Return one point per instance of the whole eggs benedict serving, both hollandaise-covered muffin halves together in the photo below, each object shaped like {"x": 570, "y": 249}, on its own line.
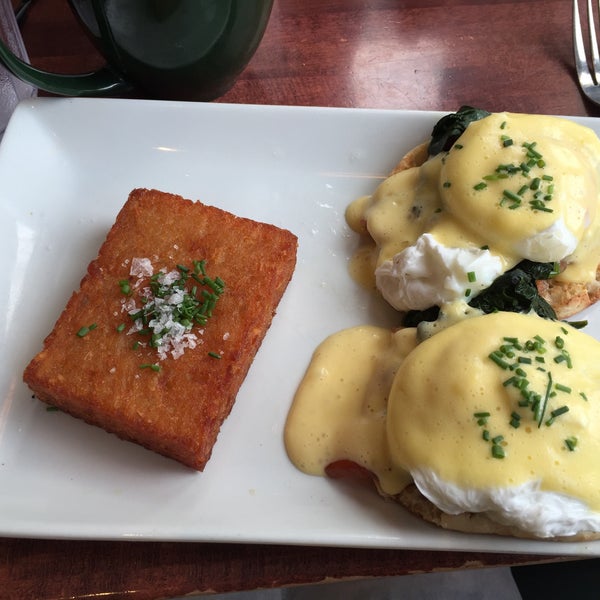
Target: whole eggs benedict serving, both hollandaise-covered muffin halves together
{"x": 481, "y": 414}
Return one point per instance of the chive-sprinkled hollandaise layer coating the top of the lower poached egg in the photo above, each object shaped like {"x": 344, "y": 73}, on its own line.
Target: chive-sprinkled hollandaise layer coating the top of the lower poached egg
{"x": 499, "y": 400}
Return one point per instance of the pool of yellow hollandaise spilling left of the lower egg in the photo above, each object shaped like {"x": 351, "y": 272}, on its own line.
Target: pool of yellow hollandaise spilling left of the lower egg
{"x": 339, "y": 411}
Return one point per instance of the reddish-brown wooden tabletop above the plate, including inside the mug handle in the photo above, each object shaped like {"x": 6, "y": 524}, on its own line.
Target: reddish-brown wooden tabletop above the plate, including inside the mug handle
{"x": 430, "y": 55}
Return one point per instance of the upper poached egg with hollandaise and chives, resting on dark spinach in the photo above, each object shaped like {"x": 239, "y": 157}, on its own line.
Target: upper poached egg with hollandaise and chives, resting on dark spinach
{"x": 512, "y": 187}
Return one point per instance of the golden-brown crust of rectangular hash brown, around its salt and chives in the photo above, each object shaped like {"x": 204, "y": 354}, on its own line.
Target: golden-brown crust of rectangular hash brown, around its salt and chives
{"x": 179, "y": 410}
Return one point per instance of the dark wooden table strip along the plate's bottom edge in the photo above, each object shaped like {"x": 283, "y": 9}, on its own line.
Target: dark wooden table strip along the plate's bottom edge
{"x": 148, "y": 570}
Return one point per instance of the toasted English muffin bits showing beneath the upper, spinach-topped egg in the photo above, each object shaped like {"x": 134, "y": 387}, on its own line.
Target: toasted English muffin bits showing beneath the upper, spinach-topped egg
{"x": 566, "y": 298}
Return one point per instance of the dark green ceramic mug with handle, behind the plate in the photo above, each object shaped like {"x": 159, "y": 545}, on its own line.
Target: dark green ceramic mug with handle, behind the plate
{"x": 168, "y": 49}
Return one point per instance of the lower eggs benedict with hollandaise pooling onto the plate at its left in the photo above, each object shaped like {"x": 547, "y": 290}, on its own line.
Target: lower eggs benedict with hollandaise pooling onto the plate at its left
{"x": 497, "y": 416}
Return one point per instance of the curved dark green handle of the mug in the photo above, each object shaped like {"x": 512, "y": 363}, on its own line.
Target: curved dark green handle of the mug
{"x": 102, "y": 82}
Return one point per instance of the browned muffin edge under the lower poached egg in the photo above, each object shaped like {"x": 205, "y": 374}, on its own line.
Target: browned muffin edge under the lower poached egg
{"x": 411, "y": 499}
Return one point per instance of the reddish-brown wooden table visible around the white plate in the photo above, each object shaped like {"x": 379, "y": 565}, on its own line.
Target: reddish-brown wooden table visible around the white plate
{"x": 405, "y": 54}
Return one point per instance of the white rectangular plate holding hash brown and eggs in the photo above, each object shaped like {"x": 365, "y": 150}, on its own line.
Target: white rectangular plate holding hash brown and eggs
{"x": 66, "y": 168}
